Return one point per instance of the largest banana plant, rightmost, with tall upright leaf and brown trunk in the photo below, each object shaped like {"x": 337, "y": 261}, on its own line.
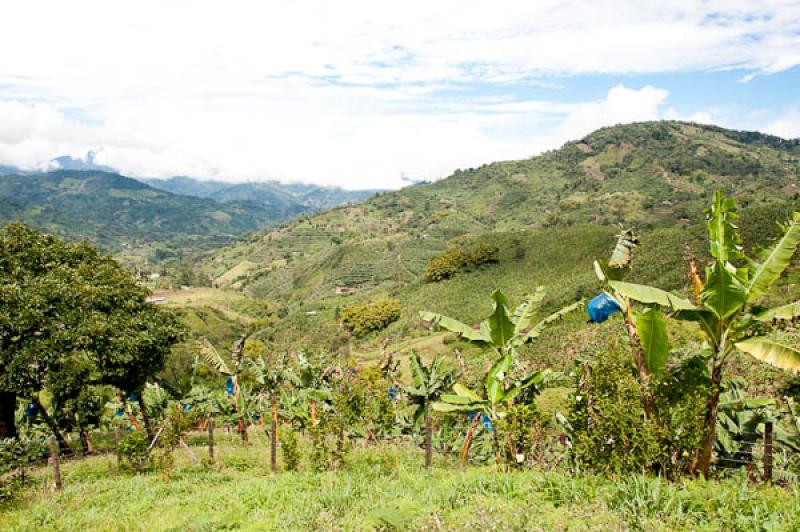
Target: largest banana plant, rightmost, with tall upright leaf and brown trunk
{"x": 727, "y": 310}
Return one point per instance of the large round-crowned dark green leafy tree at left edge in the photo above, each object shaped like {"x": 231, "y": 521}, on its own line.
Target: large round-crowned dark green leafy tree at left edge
{"x": 67, "y": 310}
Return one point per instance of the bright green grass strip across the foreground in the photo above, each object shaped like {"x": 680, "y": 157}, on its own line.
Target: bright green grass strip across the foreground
{"x": 374, "y": 492}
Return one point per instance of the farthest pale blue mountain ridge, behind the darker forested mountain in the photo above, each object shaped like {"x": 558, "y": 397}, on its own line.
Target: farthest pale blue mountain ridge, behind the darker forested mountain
{"x": 288, "y": 199}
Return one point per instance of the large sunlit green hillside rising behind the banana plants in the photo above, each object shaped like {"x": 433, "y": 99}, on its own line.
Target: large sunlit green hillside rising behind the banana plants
{"x": 549, "y": 215}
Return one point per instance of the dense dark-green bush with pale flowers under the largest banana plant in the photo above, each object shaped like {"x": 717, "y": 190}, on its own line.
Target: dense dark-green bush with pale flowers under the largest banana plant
{"x": 610, "y": 430}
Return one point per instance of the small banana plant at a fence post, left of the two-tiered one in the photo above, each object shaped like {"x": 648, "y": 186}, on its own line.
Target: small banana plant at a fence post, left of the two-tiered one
{"x": 427, "y": 385}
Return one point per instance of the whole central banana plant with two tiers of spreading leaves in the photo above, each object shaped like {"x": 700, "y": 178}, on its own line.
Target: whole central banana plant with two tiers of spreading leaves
{"x": 504, "y": 332}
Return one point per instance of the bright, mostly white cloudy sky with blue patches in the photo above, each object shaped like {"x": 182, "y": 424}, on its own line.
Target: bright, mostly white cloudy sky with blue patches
{"x": 372, "y": 94}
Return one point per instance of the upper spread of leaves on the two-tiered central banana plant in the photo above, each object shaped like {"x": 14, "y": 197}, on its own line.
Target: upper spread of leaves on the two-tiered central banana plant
{"x": 504, "y": 331}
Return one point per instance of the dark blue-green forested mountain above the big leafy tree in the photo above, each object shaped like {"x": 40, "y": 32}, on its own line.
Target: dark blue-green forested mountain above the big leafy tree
{"x": 125, "y": 216}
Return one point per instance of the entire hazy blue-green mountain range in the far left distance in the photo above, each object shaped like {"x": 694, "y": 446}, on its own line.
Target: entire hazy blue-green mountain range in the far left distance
{"x": 153, "y": 219}
